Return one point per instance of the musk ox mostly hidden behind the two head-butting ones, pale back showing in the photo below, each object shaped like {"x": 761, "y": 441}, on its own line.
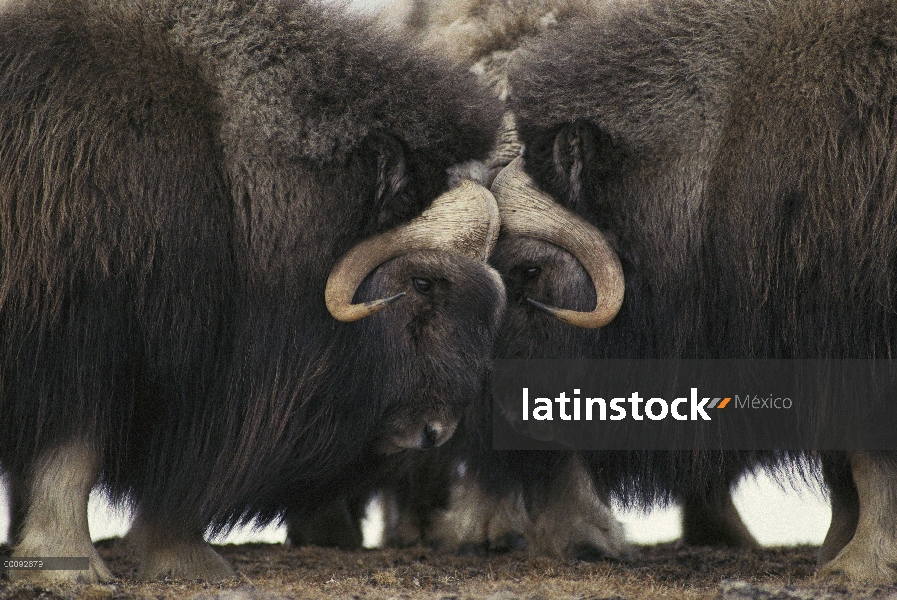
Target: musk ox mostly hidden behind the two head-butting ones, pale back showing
{"x": 417, "y": 490}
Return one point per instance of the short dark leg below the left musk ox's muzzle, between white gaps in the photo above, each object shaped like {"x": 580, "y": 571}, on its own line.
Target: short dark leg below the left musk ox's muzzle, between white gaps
{"x": 333, "y": 526}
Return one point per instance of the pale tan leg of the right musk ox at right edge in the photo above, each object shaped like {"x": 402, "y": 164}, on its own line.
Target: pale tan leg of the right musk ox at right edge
{"x": 871, "y": 555}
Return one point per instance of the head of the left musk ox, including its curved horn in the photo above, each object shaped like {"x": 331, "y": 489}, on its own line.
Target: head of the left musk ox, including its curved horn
{"x": 435, "y": 342}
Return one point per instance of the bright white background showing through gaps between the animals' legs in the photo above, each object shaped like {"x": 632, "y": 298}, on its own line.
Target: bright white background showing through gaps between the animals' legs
{"x": 775, "y": 516}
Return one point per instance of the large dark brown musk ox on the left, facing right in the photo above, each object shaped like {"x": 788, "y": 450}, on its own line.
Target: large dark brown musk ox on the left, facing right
{"x": 193, "y": 195}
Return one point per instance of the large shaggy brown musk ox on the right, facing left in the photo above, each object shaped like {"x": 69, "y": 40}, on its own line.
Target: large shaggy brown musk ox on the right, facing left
{"x": 740, "y": 160}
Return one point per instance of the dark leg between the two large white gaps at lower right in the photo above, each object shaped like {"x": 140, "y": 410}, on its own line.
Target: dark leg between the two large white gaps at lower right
{"x": 713, "y": 520}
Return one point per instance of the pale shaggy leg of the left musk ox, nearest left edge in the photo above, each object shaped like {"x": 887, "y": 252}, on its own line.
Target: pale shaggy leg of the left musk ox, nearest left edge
{"x": 55, "y": 521}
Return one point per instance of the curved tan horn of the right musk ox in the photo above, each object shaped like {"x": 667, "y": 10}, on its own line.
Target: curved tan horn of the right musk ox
{"x": 528, "y": 212}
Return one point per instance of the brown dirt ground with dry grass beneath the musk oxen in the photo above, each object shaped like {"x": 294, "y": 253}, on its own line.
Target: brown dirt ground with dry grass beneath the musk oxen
{"x": 272, "y": 572}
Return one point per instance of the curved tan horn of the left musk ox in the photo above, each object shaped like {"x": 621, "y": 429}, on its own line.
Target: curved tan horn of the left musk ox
{"x": 464, "y": 220}
